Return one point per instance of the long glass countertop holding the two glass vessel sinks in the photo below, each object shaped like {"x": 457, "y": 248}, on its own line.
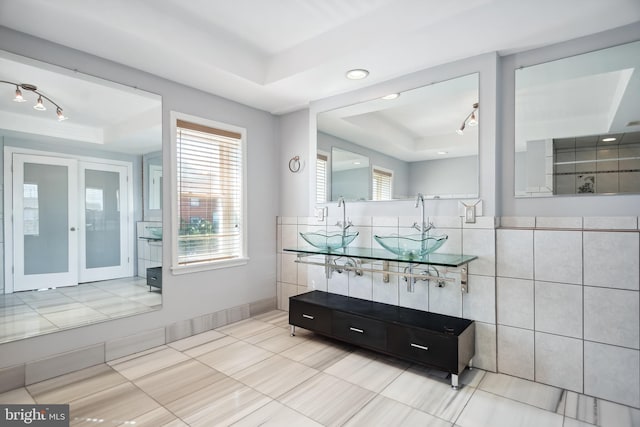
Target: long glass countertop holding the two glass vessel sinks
{"x": 448, "y": 260}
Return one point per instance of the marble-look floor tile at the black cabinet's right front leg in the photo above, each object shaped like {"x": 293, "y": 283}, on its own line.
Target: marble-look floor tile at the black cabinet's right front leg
{"x": 428, "y": 394}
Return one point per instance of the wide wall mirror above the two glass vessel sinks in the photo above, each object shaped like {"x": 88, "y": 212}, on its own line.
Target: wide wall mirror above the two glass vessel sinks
{"x": 423, "y": 140}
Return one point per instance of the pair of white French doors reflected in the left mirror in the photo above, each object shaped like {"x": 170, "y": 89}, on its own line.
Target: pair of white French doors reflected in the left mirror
{"x": 70, "y": 222}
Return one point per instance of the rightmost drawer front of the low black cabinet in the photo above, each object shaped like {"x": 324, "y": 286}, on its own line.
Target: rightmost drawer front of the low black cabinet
{"x": 423, "y": 346}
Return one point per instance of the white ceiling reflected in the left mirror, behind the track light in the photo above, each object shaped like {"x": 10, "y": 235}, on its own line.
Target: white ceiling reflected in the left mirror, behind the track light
{"x": 103, "y": 115}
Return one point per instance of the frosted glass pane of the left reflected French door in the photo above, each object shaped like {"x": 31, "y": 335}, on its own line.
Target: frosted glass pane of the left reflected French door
{"x": 45, "y": 219}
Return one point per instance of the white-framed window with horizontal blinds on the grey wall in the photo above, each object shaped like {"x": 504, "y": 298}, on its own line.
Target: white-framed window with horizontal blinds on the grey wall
{"x": 210, "y": 194}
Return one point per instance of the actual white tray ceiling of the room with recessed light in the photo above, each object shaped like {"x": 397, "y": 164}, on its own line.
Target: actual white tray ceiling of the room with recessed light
{"x": 280, "y": 55}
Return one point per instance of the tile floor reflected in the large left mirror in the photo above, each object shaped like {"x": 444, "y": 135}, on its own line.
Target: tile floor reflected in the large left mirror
{"x": 26, "y": 314}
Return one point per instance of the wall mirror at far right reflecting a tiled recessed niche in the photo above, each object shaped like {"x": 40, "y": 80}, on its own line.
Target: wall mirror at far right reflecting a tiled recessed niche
{"x": 577, "y": 124}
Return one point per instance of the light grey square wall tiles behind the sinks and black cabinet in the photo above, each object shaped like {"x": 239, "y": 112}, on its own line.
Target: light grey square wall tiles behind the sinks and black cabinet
{"x": 555, "y": 299}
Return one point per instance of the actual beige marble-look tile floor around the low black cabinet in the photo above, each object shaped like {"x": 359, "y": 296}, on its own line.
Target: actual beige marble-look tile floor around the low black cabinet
{"x": 253, "y": 373}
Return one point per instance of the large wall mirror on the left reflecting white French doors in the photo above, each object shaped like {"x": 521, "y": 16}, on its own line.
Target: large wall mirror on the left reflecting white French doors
{"x": 81, "y": 216}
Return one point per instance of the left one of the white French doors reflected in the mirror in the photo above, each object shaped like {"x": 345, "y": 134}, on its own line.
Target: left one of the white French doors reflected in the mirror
{"x": 45, "y": 222}
